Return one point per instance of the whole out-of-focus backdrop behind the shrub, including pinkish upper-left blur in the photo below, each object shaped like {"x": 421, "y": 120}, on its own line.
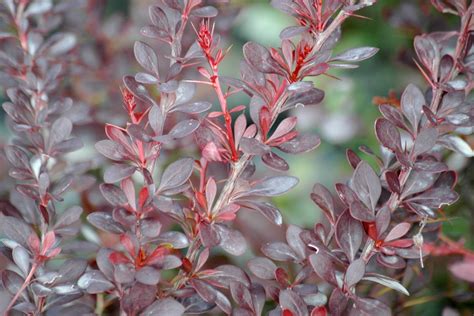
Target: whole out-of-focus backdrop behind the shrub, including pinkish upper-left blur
{"x": 344, "y": 120}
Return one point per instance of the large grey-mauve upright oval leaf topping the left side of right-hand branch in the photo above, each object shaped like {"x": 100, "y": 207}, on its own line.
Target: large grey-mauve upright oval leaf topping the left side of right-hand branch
{"x": 366, "y": 184}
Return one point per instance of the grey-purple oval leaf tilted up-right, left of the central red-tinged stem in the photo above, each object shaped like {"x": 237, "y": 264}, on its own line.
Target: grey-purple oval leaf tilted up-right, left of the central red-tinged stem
{"x": 176, "y": 174}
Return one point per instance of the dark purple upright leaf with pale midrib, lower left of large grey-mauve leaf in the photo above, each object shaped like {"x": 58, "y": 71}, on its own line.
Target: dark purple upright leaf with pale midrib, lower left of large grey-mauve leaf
{"x": 349, "y": 234}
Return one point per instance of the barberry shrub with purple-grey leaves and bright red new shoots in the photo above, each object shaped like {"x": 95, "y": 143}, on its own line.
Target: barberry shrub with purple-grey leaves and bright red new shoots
{"x": 169, "y": 215}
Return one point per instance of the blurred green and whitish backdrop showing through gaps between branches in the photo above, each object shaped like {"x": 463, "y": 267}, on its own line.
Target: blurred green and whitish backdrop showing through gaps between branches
{"x": 345, "y": 119}
